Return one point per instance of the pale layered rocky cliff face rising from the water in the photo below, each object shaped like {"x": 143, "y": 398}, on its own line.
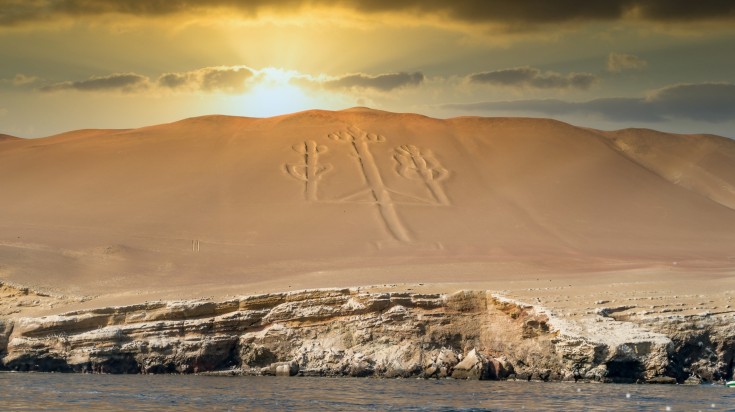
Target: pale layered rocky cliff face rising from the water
{"x": 353, "y": 332}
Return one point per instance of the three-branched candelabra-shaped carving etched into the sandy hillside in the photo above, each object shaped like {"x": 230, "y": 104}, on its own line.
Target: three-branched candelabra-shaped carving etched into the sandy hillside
{"x": 413, "y": 164}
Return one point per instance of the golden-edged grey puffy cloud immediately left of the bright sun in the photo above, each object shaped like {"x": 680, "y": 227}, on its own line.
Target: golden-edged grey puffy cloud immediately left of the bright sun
{"x": 229, "y": 79}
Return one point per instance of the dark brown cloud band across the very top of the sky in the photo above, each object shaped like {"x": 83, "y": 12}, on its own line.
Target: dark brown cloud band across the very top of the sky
{"x": 516, "y": 12}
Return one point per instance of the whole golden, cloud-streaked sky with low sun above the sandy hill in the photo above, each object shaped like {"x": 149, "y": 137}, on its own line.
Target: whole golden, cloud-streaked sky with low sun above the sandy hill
{"x": 73, "y": 64}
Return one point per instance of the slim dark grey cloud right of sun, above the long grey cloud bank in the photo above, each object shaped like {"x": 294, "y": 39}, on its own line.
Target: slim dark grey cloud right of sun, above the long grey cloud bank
{"x": 533, "y": 78}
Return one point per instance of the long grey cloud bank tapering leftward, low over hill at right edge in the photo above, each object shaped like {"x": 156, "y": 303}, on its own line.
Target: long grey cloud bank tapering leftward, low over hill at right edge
{"x": 705, "y": 102}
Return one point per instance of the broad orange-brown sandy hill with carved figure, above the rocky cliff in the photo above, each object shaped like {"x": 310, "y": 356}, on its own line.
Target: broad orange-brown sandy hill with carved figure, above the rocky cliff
{"x": 217, "y": 205}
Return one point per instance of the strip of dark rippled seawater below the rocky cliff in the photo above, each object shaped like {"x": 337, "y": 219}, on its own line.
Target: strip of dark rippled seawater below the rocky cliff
{"x": 37, "y": 391}
